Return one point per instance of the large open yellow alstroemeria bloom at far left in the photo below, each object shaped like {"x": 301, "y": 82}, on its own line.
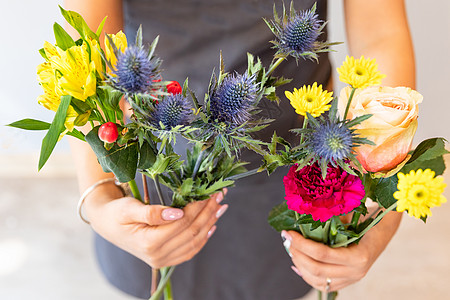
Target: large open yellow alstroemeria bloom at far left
{"x": 77, "y": 73}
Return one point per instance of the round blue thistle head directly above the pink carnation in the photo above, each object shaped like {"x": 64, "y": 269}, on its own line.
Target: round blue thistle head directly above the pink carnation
{"x": 332, "y": 142}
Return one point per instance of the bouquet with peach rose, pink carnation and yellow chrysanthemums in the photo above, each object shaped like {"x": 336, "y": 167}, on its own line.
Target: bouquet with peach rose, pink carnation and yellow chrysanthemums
{"x": 359, "y": 151}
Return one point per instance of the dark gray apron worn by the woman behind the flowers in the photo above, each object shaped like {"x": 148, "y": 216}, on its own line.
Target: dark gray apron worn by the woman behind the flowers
{"x": 245, "y": 258}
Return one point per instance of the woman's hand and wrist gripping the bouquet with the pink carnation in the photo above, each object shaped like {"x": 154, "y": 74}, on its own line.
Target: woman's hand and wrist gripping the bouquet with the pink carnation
{"x": 316, "y": 262}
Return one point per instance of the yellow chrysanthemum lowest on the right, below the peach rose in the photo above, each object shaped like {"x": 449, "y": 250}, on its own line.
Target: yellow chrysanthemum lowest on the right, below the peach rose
{"x": 418, "y": 192}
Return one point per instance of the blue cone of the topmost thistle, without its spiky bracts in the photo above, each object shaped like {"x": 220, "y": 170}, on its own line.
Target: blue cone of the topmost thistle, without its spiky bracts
{"x": 300, "y": 32}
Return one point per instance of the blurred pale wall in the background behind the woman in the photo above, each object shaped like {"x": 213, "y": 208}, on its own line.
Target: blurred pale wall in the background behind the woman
{"x": 27, "y": 24}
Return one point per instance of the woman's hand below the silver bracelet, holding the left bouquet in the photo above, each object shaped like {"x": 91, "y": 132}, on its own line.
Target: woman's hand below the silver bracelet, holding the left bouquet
{"x": 159, "y": 235}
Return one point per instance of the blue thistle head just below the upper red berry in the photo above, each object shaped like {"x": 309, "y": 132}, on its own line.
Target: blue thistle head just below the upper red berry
{"x": 172, "y": 111}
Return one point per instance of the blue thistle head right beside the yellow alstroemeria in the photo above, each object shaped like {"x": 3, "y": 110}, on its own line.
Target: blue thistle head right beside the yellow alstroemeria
{"x": 134, "y": 71}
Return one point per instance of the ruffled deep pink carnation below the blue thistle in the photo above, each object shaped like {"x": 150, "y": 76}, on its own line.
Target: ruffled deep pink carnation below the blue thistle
{"x": 308, "y": 193}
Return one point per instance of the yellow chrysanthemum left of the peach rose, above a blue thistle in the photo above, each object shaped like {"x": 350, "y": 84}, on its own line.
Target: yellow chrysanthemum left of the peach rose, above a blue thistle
{"x": 310, "y": 99}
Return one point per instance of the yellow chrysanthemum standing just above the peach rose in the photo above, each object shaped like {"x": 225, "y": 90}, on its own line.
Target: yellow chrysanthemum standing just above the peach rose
{"x": 360, "y": 73}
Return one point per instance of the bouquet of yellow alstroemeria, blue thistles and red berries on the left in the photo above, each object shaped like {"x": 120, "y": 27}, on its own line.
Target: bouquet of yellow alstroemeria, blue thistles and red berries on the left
{"x": 84, "y": 84}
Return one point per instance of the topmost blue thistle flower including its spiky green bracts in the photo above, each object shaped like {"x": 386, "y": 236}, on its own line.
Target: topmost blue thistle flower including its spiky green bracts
{"x": 297, "y": 33}
